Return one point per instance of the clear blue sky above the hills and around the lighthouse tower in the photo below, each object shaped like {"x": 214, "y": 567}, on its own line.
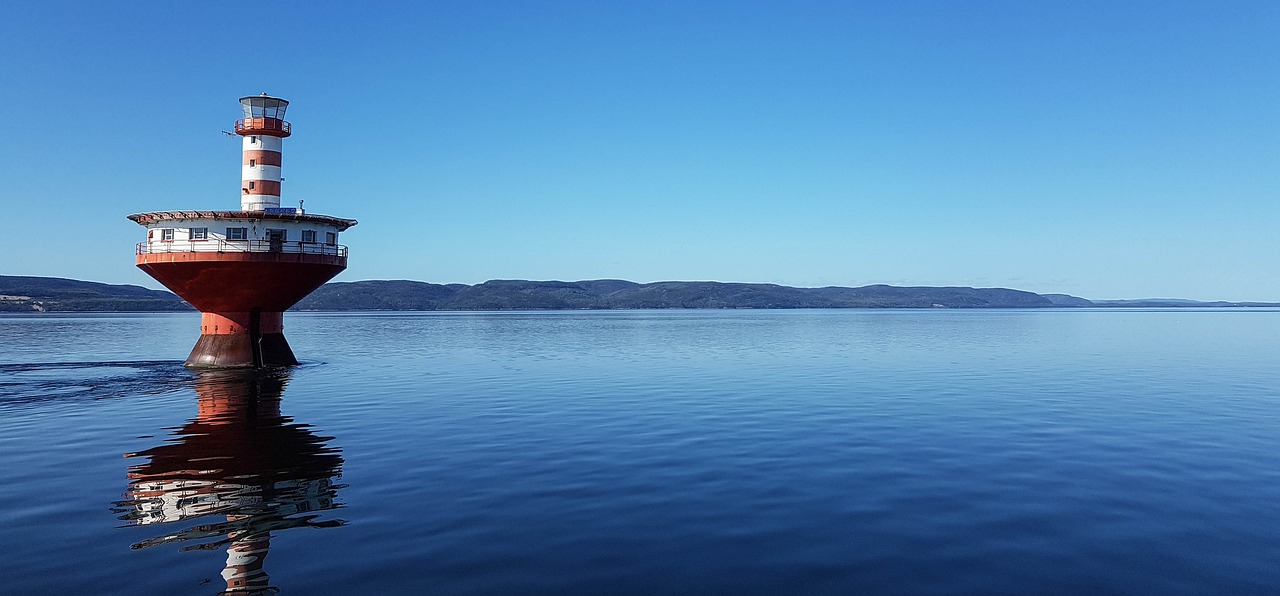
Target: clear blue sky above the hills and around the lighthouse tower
{"x": 1099, "y": 149}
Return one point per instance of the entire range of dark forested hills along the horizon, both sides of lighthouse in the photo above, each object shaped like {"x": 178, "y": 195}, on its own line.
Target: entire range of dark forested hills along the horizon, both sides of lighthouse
{"x": 33, "y": 294}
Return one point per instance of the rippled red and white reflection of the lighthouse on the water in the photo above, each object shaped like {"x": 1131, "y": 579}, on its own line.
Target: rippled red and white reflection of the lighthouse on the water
{"x": 241, "y": 471}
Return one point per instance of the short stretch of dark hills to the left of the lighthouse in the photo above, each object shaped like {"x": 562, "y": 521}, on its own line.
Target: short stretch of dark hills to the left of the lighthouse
{"x": 21, "y": 294}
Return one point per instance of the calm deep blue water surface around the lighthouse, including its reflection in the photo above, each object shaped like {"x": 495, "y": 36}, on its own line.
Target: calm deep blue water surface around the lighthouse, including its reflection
{"x": 693, "y": 452}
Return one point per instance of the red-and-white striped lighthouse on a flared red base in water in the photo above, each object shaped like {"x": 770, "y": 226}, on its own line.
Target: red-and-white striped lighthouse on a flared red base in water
{"x": 244, "y": 268}
